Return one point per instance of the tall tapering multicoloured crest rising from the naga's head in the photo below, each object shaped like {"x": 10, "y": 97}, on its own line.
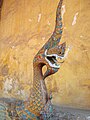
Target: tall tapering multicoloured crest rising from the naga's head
{"x": 57, "y": 34}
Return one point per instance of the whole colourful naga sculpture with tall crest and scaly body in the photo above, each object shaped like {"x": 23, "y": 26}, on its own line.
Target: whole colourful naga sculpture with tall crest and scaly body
{"x": 12, "y": 109}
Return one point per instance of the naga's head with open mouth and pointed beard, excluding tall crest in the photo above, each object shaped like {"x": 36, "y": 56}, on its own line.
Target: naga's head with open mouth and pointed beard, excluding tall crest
{"x": 49, "y": 57}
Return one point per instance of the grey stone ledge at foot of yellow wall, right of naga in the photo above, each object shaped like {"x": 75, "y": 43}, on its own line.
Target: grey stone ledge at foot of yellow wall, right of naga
{"x": 60, "y": 113}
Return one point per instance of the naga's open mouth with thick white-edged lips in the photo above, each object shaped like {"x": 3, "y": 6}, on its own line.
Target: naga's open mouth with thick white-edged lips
{"x": 53, "y": 60}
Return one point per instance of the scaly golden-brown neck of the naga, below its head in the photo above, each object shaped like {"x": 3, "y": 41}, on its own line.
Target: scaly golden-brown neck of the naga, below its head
{"x": 39, "y": 92}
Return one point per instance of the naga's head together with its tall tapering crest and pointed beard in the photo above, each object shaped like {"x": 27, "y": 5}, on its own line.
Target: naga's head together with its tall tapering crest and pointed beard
{"x": 52, "y": 50}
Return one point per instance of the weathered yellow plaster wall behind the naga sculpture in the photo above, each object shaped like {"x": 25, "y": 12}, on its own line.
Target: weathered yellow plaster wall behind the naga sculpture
{"x": 25, "y": 26}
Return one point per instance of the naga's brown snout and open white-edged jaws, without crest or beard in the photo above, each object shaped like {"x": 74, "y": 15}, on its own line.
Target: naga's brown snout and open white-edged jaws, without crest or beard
{"x": 52, "y": 55}
